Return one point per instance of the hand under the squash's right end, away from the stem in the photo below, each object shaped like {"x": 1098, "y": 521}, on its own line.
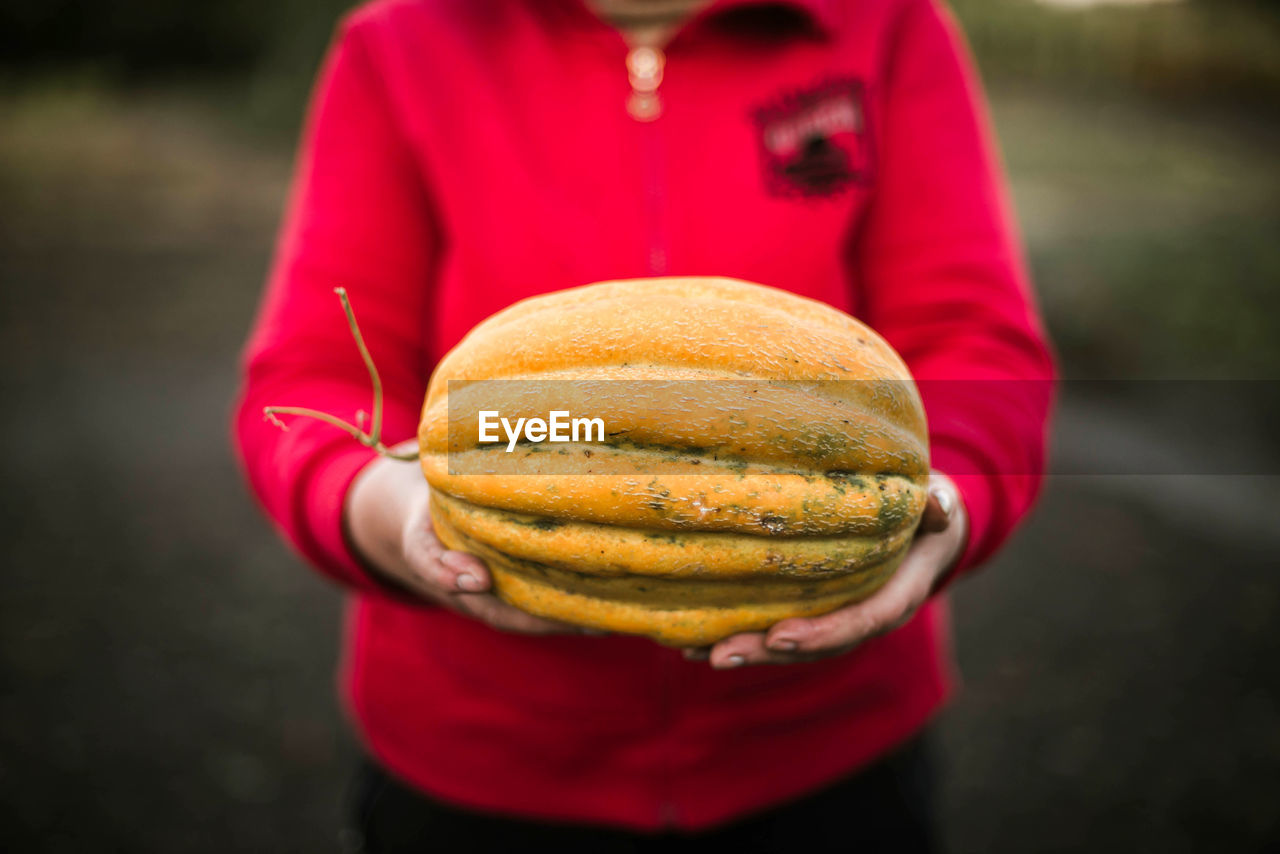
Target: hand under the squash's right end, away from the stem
{"x": 939, "y": 544}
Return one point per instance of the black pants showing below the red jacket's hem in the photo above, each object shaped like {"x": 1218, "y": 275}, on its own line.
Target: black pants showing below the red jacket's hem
{"x": 889, "y": 807}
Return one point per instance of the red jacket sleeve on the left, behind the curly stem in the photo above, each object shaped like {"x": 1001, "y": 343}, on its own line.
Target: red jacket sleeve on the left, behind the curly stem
{"x": 359, "y": 217}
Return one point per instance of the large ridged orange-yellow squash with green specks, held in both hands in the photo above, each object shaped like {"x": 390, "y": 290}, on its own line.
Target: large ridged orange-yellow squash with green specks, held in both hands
{"x": 766, "y": 458}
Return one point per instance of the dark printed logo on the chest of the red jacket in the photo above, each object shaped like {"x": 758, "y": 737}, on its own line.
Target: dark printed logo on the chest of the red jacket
{"x": 815, "y": 141}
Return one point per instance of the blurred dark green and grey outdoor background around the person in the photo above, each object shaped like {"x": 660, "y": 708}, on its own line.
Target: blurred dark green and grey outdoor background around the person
{"x": 166, "y": 665}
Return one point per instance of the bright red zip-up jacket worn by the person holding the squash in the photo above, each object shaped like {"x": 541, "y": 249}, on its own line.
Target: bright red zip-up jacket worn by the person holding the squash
{"x": 460, "y": 157}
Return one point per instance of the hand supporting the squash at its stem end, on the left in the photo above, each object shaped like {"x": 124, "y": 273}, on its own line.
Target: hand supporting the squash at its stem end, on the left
{"x": 388, "y": 523}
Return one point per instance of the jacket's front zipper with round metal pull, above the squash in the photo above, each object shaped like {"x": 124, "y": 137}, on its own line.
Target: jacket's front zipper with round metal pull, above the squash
{"x": 646, "y": 68}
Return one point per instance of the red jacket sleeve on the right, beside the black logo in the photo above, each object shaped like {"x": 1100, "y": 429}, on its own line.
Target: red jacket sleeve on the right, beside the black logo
{"x": 947, "y": 285}
